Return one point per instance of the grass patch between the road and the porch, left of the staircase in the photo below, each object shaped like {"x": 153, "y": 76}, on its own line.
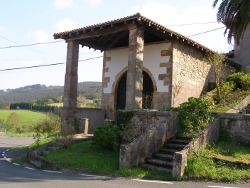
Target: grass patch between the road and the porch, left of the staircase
{"x": 85, "y": 156}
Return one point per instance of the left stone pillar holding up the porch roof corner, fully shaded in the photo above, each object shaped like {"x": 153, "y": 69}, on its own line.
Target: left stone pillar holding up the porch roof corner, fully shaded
{"x": 70, "y": 87}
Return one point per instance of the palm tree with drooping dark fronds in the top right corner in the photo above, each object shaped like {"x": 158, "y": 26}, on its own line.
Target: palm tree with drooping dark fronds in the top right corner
{"x": 235, "y": 14}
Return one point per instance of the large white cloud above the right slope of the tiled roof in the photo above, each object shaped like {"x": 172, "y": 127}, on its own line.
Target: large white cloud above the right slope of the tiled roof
{"x": 168, "y": 16}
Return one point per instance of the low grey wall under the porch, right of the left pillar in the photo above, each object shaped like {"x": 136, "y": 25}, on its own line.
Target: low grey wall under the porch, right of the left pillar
{"x": 95, "y": 115}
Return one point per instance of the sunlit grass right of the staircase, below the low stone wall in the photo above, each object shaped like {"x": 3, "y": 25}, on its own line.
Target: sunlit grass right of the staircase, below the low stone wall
{"x": 224, "y": 161}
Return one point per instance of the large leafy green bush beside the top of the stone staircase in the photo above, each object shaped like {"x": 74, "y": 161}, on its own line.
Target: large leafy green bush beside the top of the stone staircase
{"x": 194, "y": 115}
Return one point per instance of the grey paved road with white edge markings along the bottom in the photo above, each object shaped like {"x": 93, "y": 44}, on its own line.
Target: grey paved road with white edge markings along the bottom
{"x": 13, "y": 176}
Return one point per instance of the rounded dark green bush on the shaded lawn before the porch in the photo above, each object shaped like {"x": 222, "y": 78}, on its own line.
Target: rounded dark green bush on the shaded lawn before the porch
{"x": 107, "y": 136}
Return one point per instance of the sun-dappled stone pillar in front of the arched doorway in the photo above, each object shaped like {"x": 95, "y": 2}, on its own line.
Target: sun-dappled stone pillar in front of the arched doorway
{"x": 134, "y": 74}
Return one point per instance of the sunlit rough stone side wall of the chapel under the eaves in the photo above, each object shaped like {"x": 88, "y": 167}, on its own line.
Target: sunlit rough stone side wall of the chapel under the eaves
{"x": 190, "y": 73}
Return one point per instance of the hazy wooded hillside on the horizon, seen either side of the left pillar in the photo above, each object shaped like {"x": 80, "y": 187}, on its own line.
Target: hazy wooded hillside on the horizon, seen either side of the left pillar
{"x": 90, "y": 90}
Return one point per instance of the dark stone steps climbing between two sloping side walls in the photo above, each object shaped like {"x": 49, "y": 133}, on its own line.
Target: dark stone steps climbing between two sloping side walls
{"x": 163, "y": 159}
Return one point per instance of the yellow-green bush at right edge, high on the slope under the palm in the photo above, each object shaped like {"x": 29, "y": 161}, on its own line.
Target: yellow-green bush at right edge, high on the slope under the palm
{"x": 241, "y": 80}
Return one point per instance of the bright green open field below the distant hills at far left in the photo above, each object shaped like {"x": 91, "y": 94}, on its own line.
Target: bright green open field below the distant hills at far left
{"x": 27, "y": 117}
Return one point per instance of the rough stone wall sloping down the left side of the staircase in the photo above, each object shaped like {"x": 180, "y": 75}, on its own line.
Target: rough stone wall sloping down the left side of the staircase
{"x": 162, "y": 126}
